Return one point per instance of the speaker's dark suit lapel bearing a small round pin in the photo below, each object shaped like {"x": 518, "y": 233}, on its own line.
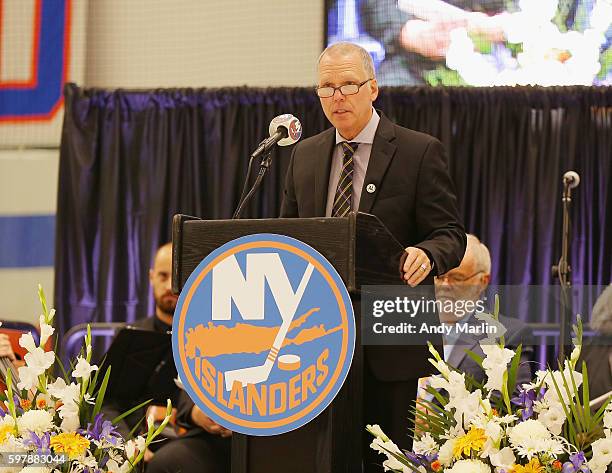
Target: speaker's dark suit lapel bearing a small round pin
{"x": 382, "y": 153}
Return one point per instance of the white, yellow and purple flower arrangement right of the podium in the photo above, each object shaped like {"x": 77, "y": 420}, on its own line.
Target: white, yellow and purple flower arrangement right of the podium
{"x": 472, "y": 427}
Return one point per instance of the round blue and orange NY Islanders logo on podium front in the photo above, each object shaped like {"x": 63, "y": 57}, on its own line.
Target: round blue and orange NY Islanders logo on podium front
{"x": 263, "y": 334}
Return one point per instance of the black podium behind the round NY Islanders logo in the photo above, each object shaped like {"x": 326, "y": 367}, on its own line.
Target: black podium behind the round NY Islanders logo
{"x": 364, "y": 253}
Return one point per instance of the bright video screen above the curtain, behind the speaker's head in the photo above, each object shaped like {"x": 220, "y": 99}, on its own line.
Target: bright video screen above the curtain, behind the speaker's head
{"x": 479, "y": 42}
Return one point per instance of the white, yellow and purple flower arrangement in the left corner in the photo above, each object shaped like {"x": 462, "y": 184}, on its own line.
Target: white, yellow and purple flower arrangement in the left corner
{"x": 56, "y": 424}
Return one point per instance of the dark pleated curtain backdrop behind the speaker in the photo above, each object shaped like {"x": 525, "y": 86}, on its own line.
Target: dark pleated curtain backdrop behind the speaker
{"x": 130, "y": 160}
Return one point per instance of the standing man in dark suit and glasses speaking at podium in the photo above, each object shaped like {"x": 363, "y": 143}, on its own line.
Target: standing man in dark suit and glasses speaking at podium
{"x": 368, "y": 163}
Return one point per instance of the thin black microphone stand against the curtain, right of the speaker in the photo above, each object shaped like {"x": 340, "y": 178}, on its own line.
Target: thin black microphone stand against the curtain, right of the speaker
{"x": 562, "y": 271}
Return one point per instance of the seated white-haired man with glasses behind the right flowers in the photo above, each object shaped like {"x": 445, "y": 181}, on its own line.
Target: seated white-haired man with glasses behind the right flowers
{"x": 464, "y": 286}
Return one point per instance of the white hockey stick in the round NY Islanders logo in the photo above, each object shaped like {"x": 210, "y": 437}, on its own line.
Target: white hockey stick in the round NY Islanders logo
{"x": 261, "y": 373}
